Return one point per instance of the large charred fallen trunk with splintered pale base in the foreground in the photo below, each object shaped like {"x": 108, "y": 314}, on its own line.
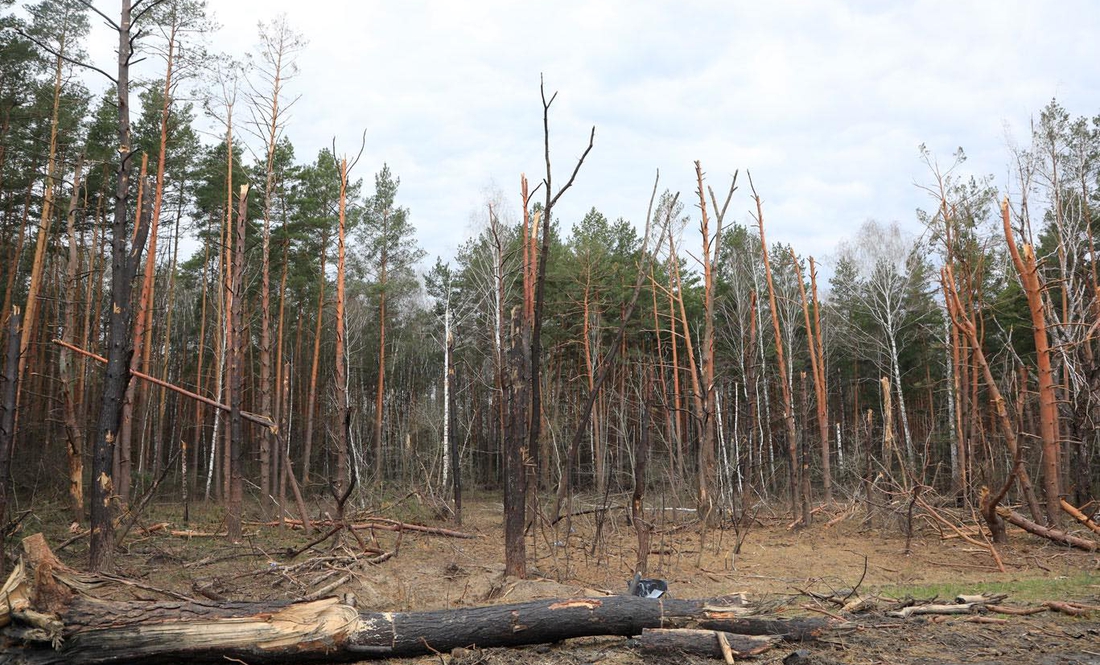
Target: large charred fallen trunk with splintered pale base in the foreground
{"x": 49, "y": 617}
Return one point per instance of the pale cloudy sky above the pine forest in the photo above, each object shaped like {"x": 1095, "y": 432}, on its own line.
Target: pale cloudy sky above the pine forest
{"x": 824, "y": 103}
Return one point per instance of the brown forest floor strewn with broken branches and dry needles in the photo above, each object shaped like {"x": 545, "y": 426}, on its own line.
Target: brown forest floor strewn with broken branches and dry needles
{"x": 779, "y": 568}
